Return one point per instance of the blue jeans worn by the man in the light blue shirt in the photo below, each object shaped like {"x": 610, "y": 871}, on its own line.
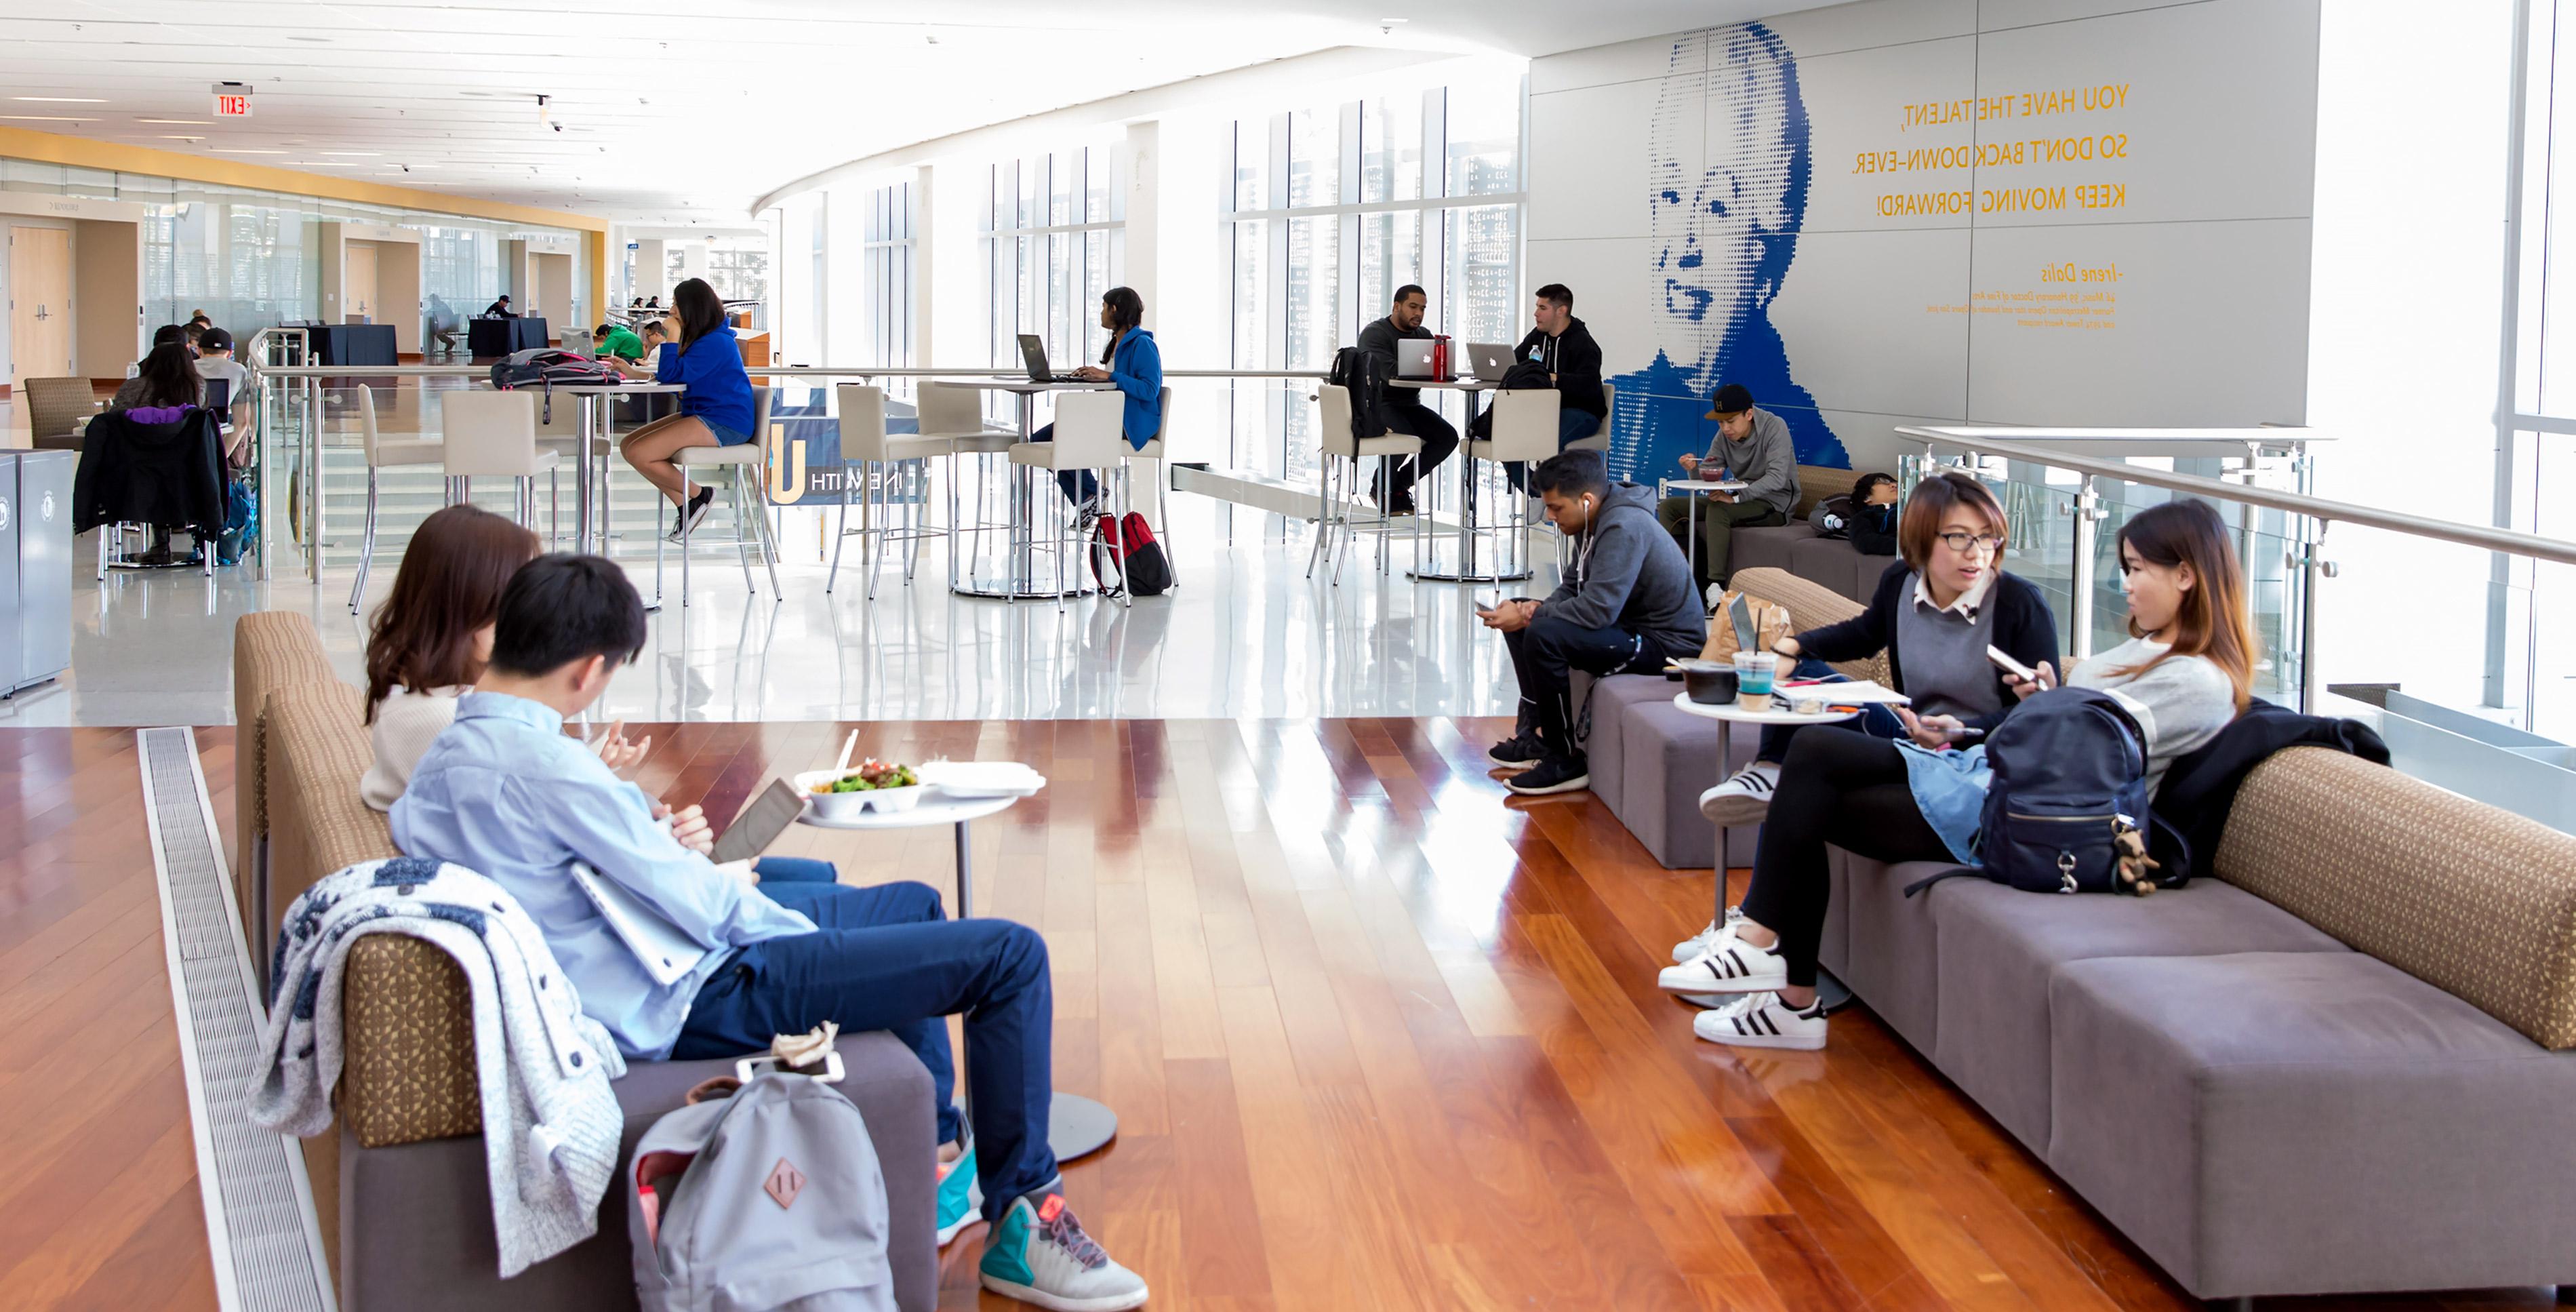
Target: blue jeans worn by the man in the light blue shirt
{"x": 887, "y": 958}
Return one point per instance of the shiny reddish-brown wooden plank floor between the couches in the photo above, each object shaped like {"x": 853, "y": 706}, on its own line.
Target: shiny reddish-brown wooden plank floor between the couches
{"x": 1379, "y": 1040}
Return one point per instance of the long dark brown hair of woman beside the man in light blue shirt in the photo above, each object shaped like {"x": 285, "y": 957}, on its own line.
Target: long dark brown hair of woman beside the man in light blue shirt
{"x": 450, "y": 586}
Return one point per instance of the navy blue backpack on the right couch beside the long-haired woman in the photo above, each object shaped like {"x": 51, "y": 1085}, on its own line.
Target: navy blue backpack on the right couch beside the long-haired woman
{"x": 2067, "y": 795}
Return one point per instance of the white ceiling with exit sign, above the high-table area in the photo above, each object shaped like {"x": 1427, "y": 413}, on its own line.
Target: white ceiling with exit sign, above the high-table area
{"x": 674, "y": 117}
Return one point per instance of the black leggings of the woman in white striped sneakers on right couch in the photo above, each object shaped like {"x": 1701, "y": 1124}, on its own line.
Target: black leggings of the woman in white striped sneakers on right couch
{"x": 1835, "y": 787}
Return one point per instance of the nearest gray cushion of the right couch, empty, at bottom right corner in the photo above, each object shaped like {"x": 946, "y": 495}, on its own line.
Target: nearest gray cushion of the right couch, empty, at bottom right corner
{"x": 2309, "y": 1123}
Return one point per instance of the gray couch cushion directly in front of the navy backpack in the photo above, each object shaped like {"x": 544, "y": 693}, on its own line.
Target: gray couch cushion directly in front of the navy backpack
{"x": 2000, "y": 947}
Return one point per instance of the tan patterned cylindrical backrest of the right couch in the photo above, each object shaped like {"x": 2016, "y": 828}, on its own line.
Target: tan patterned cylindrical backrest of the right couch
{"x": 2469, "y": 898}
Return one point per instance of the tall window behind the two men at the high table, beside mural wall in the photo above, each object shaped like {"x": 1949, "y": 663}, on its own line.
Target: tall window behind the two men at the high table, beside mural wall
{"x": 1336, "y": 207}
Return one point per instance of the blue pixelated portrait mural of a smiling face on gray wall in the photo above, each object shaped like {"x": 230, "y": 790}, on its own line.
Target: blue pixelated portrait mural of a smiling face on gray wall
{"x": 1725, "y": 231}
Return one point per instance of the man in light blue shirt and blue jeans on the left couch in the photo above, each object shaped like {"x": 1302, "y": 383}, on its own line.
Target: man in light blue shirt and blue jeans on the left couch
{"x": 506, "y": 793}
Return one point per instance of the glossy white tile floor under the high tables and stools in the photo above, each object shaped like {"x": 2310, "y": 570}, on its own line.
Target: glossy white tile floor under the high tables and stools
{"x": 1245, "y": 635}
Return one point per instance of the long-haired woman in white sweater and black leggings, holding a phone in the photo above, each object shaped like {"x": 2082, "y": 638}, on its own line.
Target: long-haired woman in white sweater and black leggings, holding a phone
{"x": 2186, "y": 674}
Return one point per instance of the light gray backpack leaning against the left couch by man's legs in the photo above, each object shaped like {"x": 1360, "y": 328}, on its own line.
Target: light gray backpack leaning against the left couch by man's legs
{"x": 769, "y": 1197}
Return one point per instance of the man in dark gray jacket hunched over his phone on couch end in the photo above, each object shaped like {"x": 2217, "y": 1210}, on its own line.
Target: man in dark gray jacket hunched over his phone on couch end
{"x": 1624, "y": 607}
